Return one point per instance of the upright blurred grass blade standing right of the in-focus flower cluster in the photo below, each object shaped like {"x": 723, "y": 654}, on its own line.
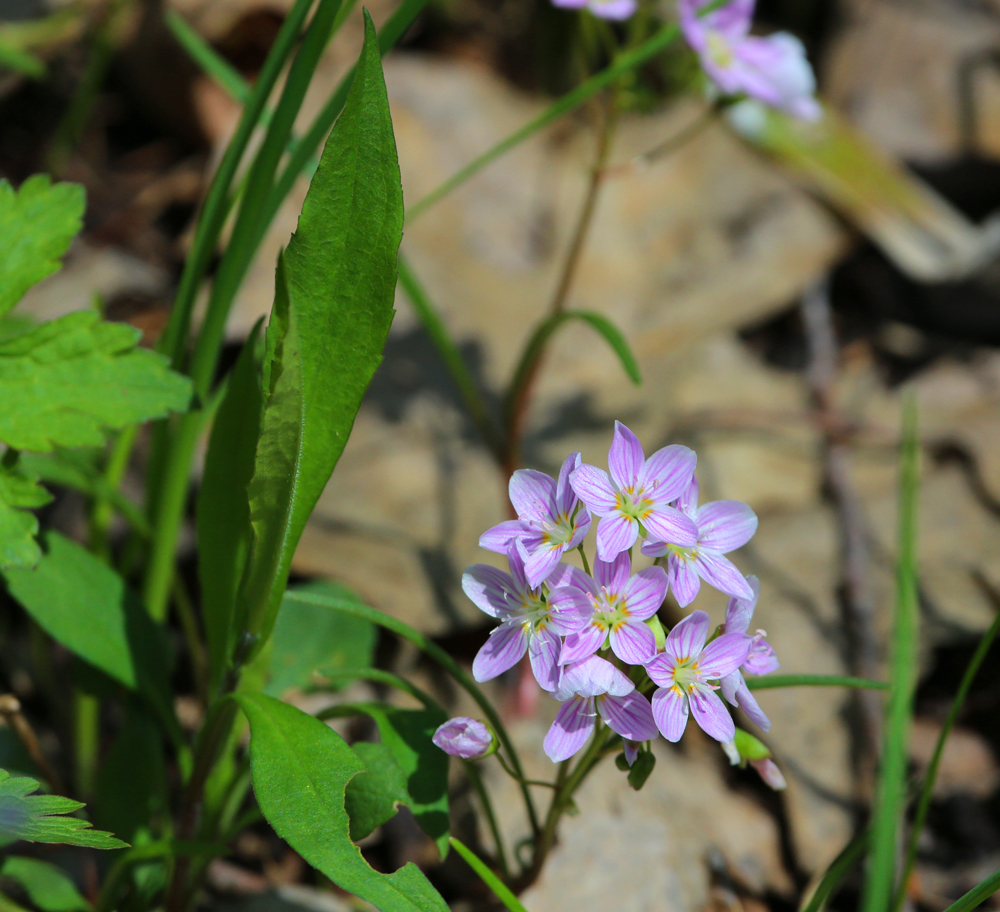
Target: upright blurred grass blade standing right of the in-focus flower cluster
{"x": 890, "y": 792}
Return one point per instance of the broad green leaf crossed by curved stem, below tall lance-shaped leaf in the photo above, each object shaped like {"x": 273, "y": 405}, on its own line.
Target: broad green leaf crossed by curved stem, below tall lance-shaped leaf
{"x": 312, "y": 638}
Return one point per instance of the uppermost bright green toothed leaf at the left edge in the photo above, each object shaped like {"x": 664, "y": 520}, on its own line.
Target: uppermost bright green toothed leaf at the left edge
{"x": 37, "y": 224}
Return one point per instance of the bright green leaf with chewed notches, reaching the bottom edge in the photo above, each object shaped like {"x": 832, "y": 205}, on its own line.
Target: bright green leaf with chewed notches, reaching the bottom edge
{"x": 300, "y": 769}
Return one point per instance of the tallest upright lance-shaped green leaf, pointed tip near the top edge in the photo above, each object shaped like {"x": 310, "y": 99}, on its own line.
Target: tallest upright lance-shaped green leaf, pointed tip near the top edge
{"x": 332, "y": 311}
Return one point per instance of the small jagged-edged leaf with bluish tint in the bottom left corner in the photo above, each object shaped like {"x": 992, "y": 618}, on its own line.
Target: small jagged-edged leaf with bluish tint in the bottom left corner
{"x": 35, "y": 818}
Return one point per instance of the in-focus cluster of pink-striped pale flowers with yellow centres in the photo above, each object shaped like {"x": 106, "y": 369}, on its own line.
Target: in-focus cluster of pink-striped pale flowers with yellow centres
{"x": 593, "y": 639}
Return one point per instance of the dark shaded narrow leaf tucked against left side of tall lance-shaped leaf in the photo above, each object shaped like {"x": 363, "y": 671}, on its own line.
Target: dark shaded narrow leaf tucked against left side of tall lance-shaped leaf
{"x": 223, "y": 509}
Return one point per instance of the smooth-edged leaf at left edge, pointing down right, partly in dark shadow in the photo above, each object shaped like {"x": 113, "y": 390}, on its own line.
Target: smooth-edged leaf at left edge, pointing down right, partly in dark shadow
{"x": 83, "y": 604}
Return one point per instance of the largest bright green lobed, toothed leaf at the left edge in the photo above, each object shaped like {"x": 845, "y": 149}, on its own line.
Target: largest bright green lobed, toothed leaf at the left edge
{"x": 65, "y": 382}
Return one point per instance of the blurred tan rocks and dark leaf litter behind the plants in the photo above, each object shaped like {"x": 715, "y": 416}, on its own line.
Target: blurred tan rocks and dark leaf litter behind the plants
{"x": 780, "y": 300}
